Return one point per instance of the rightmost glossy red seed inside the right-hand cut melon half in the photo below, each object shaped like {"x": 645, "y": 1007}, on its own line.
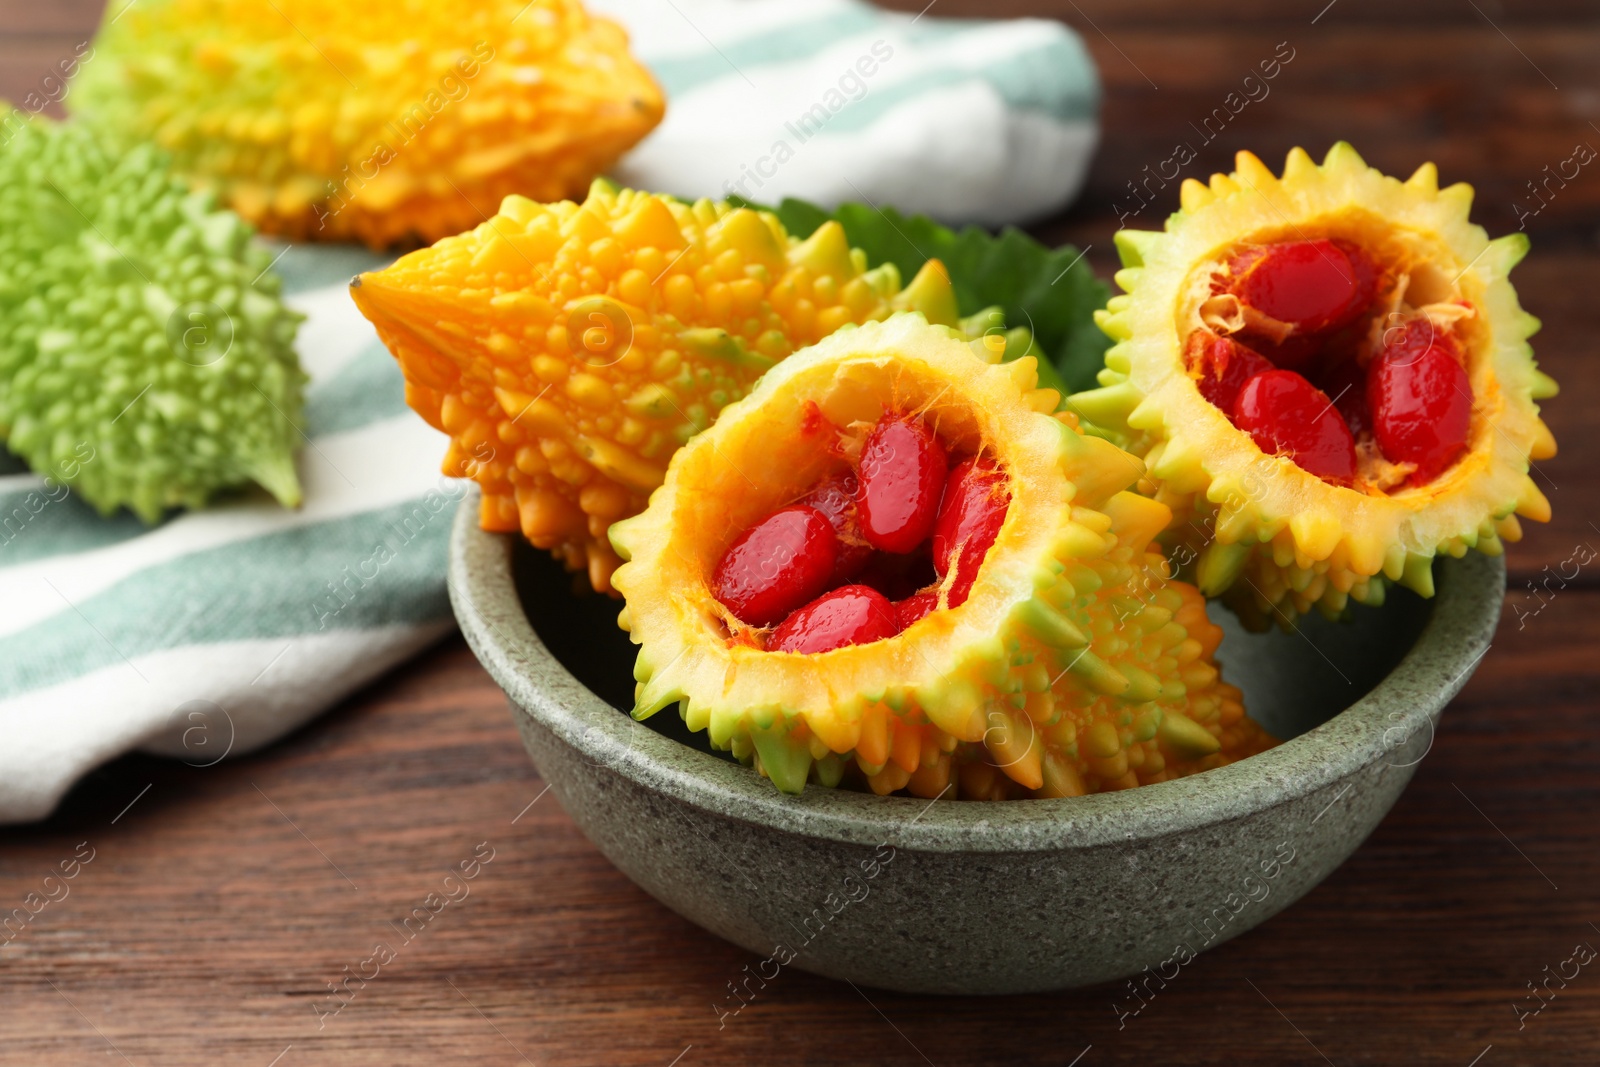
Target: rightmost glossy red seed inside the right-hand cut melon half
{"x": 1422, "y": 402}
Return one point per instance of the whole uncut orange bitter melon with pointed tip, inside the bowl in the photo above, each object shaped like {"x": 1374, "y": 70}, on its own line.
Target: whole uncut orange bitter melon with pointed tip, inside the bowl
{"x": 570, "y": 350}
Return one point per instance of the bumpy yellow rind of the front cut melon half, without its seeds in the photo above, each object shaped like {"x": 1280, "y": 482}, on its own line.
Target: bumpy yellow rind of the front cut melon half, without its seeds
{"x": 1074, "y": 666}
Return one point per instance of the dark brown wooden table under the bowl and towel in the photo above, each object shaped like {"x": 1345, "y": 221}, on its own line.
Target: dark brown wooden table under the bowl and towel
{"x": 222, "y": 903}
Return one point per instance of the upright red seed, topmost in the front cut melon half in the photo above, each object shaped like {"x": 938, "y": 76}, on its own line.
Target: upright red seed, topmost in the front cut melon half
{"x": 902, "y": 479}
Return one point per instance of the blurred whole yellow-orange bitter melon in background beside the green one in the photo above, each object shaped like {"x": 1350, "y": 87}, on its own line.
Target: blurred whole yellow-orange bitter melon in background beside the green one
{"x": 383, "y": 122}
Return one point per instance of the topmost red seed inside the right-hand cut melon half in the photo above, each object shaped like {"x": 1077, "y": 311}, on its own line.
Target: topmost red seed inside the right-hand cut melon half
{"x": 1313, "y": 286}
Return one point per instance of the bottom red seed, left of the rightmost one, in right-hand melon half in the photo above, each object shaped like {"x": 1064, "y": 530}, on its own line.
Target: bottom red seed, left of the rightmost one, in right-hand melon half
{"x": 1287, "y": 415}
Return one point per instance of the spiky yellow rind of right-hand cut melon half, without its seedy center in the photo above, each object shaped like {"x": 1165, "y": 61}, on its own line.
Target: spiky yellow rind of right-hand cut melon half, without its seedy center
{"x": 1268, "y": 537}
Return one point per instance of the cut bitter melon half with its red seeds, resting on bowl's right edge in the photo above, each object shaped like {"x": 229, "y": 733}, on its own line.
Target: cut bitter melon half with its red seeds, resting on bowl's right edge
{"x": 1329, "y": 375}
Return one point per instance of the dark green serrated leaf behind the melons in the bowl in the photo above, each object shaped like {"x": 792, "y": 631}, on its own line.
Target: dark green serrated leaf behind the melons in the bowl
{"x": 1050, "y": 292}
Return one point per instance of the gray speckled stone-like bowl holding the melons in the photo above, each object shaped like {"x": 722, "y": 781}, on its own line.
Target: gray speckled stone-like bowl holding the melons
{"x": 977, "y": 898}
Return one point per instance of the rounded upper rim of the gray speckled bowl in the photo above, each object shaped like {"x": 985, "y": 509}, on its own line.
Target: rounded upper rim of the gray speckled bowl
{"x": 1409, "y": 700}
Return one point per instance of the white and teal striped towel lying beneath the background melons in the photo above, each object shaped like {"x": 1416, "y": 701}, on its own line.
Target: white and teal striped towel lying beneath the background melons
{"x": 222, "y": 631}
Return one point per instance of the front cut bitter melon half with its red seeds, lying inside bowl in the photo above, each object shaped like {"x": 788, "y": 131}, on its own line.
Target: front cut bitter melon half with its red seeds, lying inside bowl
{"x": 985, "y": 607}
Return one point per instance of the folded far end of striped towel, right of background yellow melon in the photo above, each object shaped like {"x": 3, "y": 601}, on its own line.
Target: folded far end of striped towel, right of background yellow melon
{"x": 967, "y": 121}
